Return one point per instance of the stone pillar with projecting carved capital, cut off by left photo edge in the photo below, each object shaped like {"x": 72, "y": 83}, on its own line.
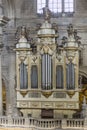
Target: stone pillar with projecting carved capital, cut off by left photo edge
{"x": 3, "y": 21}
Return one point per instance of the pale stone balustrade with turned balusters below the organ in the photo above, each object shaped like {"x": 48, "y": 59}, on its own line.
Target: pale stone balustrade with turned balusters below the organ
{"x": 41, "y": 123}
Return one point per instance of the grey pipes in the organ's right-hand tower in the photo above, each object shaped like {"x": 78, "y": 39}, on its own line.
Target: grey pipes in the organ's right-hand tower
{"x": 70, "y": 76}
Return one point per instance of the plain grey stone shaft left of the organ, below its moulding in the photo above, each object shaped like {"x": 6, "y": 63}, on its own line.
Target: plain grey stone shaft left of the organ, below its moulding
{"x": 12, "y": 93}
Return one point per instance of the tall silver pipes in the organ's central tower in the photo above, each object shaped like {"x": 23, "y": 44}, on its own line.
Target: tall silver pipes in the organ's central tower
{"x": 46, "y": 72}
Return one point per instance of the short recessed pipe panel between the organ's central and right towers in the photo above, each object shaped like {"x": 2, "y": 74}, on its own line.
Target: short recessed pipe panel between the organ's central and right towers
{"x": 59, "y": 77}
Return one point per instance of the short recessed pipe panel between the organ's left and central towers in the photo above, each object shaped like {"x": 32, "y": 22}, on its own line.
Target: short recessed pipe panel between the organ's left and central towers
{"x": 34, "y": 77}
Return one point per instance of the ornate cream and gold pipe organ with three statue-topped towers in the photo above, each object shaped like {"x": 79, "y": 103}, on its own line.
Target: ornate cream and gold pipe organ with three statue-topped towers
{"x": 47, "y": 80}
